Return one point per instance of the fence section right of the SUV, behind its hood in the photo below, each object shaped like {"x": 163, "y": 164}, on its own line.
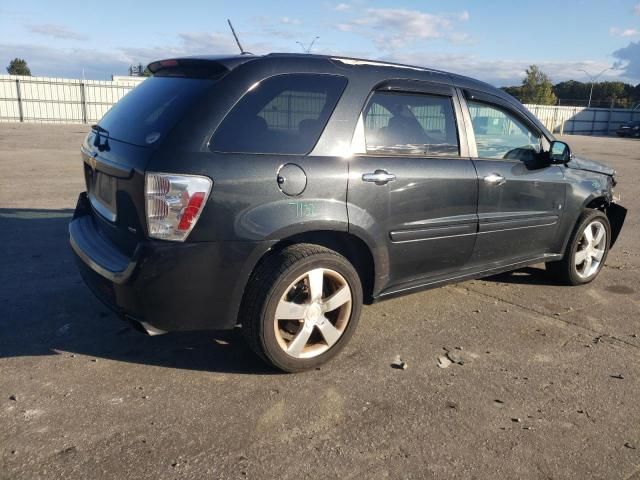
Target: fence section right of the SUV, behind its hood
{"x": 583, "y": 120}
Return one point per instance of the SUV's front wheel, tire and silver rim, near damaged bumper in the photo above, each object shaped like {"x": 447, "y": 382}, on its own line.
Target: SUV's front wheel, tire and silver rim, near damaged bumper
{"x": 571, "y": 270}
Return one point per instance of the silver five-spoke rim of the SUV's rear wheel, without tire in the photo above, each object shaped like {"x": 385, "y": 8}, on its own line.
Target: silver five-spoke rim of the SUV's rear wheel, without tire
{"x": 313, "y": 313}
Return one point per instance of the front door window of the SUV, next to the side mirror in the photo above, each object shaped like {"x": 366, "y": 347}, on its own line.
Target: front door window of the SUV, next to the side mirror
{"x": 501, "y": 135}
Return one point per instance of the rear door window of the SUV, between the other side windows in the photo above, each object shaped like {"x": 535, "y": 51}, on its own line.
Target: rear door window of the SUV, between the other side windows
{"x": 410, "y": 124}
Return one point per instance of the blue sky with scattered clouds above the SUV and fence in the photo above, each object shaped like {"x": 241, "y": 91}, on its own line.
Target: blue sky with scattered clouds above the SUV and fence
{"x": 491, "y": 40}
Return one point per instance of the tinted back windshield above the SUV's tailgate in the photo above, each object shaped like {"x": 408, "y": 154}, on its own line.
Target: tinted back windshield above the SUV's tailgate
{"x": 150, "y": 110}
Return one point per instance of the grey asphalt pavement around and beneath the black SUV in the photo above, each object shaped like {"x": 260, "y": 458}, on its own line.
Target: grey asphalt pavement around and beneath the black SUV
{"x": 542, "y": 381}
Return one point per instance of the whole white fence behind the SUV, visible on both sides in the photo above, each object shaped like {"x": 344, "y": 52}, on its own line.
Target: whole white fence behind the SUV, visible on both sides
{"x": 64, "y": 100}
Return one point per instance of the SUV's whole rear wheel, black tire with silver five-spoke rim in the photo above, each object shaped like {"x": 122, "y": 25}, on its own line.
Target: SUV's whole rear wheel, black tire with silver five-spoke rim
{"x": 301, "y": 283}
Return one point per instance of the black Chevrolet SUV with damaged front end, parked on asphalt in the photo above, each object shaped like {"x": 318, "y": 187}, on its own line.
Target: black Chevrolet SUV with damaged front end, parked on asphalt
{"x": 280, "y": 192}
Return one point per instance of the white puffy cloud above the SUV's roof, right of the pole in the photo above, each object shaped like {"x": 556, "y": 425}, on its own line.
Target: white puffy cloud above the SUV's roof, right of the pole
{"x": 394, "y": 28}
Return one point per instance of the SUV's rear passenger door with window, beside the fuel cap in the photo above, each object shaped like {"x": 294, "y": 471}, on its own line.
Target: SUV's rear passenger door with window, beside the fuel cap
{"x": 411, "y": 184}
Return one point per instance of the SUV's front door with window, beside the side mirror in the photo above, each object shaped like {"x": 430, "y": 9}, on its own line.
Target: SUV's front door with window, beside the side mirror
{"x": 520, "y": 197}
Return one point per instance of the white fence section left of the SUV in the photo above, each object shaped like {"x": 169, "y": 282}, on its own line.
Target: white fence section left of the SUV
{"x": 59, "y": 100}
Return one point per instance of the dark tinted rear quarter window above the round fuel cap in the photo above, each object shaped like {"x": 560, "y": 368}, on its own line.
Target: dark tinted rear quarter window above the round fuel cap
{"x": 282, "y": 114}
